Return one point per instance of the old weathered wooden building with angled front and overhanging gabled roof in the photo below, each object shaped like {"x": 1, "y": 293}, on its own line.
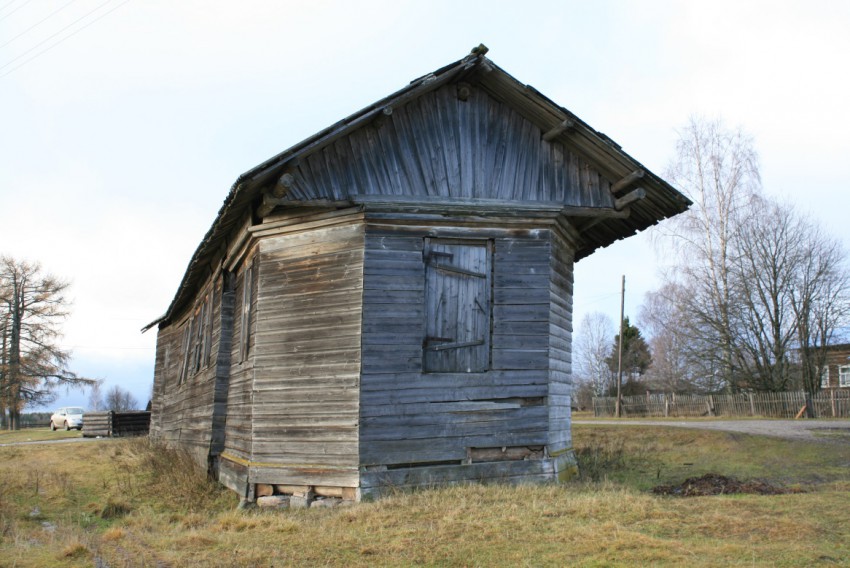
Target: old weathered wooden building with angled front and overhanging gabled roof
{"x": 388, "y": 303}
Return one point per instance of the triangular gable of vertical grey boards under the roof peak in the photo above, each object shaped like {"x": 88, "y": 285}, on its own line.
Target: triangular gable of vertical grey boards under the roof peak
{"x": 441, "y": 146}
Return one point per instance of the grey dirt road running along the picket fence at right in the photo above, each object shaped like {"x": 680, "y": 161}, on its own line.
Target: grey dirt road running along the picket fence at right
{"x": 829, "y": 431}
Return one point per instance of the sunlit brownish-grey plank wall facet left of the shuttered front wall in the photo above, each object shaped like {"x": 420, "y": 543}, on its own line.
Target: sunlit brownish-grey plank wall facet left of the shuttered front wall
{"x": 307, "y": 358}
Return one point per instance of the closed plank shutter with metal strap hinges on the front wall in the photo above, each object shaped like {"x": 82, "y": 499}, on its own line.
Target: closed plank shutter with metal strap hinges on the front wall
{"x": 457, "y": 306}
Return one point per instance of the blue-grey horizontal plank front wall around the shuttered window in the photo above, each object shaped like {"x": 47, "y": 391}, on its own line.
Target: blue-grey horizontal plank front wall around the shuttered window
{"x": 411, "y": 419}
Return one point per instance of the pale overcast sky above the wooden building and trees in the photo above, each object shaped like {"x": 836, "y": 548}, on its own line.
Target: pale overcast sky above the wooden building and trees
{"x": 124, "y": 123}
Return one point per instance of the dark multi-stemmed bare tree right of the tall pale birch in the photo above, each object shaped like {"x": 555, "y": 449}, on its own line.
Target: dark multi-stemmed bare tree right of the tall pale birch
{"x": 795, "y": 293}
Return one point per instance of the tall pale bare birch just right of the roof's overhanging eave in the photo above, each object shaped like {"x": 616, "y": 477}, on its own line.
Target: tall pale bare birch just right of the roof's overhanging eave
{"x": 717, "y": 169}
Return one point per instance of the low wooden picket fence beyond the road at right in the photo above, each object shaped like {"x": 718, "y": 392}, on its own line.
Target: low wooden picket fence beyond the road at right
{"x": 831, "y": 403}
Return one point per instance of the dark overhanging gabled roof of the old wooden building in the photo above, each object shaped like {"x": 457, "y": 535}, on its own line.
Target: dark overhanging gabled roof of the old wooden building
{"x": 659, "y": 201}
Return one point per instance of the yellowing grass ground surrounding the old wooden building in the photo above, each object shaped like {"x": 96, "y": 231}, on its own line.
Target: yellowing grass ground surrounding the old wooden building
{"x": 129, "y": 504}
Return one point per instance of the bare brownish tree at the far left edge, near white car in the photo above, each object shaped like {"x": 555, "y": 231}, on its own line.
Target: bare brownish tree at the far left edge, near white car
{"x": 32, "y": 364}
